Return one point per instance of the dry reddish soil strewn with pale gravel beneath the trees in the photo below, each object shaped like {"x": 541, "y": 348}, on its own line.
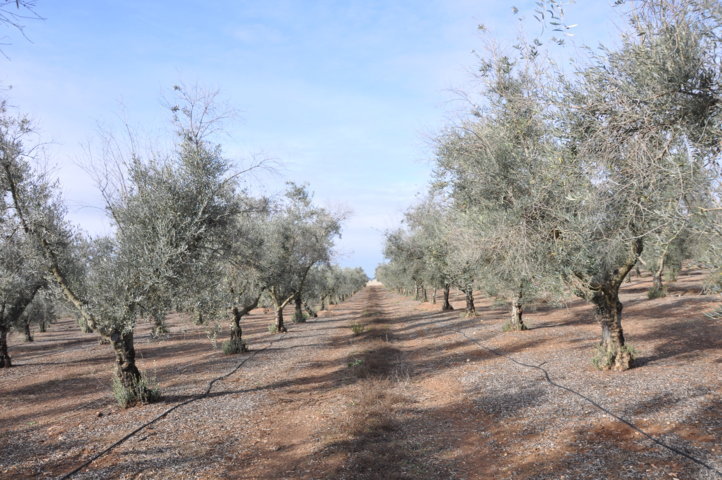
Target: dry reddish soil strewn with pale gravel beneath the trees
{"x": 412, "y": 393}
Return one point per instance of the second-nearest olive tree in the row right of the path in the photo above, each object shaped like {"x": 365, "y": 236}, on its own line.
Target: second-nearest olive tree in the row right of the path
{"x": 499, "y": 169}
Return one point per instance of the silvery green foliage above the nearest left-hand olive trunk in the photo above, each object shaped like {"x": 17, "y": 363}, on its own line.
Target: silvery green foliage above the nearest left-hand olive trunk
{"x": 166, "y": 211}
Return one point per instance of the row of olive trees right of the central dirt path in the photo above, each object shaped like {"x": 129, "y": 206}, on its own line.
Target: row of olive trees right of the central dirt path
{"x": 564, "y": 181}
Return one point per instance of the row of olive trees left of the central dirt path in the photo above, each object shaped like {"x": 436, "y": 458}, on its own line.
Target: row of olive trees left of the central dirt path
{"x": 183, "y": 229}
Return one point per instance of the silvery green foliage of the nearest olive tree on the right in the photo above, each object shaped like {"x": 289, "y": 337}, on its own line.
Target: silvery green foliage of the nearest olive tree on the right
{"x": 643, "y": 125}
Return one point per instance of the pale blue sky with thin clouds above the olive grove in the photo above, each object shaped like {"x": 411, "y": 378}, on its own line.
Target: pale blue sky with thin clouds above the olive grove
{"x": 345, "y": 96}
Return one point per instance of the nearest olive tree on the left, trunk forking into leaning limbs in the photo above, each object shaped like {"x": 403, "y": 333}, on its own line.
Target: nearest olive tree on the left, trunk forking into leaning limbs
{"x": 164, "y": 209}
